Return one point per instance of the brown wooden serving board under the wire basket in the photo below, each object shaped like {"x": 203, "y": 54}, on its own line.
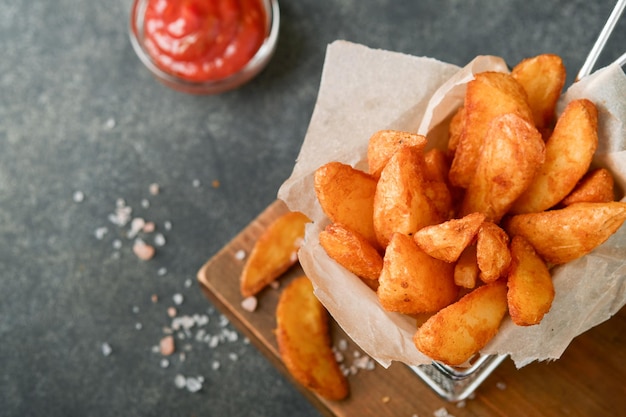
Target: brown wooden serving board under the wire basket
{"x": 589, "y": 379}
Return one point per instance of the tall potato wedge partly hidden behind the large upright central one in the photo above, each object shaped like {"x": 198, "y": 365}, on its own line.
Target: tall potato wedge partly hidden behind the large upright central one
{"x": 489, "y": 95}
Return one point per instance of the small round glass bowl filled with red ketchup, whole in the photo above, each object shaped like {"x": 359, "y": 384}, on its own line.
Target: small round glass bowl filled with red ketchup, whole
{"x": 204, "y": 46}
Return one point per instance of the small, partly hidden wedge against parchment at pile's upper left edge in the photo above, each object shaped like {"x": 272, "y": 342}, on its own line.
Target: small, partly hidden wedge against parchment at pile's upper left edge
{"x": 385, "y": 143}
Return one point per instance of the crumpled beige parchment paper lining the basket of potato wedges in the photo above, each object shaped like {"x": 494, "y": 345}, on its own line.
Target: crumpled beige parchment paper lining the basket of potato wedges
{"x": 363, "y": 90}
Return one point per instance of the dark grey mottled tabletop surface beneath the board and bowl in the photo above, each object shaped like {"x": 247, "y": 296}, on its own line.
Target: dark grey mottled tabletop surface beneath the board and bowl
{"x": 78, "y": 112}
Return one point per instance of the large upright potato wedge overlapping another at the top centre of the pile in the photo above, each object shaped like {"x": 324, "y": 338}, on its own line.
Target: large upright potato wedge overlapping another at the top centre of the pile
{"x": 512, "y": 152}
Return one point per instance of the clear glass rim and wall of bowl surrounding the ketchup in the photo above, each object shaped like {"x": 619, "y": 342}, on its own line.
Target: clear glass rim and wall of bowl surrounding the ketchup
{"x": 245, "y": 74}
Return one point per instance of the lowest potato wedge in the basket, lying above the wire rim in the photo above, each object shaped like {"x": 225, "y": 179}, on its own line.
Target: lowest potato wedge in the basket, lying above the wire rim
{"x": 457, "y": 332}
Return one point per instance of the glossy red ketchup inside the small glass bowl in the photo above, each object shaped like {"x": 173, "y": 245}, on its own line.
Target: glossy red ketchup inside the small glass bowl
{"x": 203, "y": 40}
